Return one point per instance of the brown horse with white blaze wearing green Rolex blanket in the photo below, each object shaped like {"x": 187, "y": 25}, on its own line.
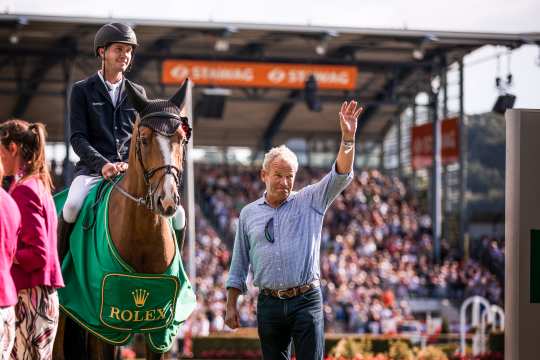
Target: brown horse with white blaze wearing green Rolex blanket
{"x": 123, "y": 271}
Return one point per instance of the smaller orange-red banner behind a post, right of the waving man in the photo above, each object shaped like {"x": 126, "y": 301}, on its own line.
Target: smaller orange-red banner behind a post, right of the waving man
{"x": 422, "y": 143}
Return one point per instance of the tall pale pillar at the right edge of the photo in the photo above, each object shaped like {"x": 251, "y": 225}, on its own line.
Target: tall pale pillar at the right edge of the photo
{"x": 522, "y": 216}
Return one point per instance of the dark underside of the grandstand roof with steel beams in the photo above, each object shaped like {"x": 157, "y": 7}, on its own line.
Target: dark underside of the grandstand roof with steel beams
{"x": 41, "y": 54}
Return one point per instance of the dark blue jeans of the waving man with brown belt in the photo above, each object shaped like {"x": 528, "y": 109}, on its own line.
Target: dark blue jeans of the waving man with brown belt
{"x": 299, "y": 319}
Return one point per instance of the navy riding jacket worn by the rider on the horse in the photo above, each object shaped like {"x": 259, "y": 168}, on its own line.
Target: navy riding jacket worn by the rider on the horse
{"x": 100, "y": 131}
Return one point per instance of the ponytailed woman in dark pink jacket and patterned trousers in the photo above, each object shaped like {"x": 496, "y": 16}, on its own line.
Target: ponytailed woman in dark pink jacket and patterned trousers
{"x": 36, "y": 270}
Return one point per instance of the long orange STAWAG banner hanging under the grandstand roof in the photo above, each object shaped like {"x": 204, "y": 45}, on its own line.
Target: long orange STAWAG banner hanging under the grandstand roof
{"x": 265, "y": 75}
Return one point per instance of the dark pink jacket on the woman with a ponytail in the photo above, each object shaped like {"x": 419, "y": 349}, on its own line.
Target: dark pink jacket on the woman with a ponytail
{"x": 36, "y": 255}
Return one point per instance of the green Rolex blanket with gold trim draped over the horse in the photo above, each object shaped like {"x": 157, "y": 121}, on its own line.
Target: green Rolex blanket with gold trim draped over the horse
{"x": 106, "y": 296}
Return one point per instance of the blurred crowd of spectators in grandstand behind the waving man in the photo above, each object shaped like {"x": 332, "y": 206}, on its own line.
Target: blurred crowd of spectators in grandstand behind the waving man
{"x": 377, "y": 253}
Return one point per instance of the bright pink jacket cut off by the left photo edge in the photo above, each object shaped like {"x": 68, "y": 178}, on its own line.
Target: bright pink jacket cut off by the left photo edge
{"x": 10, "y": 225}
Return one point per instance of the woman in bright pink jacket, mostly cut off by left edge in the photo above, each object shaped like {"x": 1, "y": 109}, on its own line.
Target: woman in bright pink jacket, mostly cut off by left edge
{"x": 10, "y": 223}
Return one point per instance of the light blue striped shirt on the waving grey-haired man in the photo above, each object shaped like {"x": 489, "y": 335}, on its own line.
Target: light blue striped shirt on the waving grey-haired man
{"x": 293, "y": 258}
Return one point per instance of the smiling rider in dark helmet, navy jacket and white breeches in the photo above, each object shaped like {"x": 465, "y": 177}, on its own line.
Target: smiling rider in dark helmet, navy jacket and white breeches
{"x": 101, "y": 119}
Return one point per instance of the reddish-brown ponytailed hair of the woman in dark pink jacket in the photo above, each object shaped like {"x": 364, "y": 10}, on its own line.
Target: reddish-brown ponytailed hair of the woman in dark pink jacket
{"x": 30, "y": 137}
